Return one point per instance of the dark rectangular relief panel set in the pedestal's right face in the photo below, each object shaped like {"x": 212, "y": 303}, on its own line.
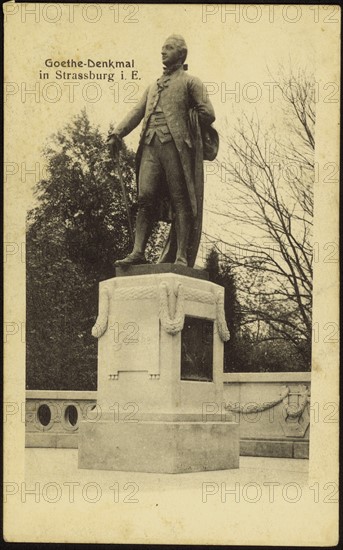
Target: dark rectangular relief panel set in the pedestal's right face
{"x": 197, "y": 350}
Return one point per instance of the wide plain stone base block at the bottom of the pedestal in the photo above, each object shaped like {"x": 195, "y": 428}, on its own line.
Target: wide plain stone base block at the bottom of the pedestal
{"x": 159, "y": 447}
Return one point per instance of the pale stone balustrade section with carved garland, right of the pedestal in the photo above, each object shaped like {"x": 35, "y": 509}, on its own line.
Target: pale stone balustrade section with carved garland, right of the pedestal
{"x": 273, "y": 410}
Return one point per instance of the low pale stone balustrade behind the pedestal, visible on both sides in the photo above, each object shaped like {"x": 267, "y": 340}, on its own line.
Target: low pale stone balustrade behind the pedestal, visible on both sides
{"x": 273, "y": 410}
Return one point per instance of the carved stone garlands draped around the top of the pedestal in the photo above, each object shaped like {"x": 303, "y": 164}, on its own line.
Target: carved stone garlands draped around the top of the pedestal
{"x": 170, "y": 324}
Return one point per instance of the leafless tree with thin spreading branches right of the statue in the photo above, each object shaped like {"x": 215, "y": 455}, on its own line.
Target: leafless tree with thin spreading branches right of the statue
{"x": 270, "y": 176}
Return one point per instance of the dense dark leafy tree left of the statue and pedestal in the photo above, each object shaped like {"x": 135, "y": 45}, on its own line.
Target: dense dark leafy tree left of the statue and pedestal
{"x": 75, "y": 233}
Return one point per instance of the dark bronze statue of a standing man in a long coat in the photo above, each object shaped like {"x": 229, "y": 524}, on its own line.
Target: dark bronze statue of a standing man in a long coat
{"x": 176, "y": 112}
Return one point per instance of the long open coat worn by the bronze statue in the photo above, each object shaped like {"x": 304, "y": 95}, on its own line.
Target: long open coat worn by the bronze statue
{"x": 180, "y": 95}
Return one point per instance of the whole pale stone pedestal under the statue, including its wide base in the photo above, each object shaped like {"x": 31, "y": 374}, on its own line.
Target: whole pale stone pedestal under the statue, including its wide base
{"x": 160, "y": 375}
